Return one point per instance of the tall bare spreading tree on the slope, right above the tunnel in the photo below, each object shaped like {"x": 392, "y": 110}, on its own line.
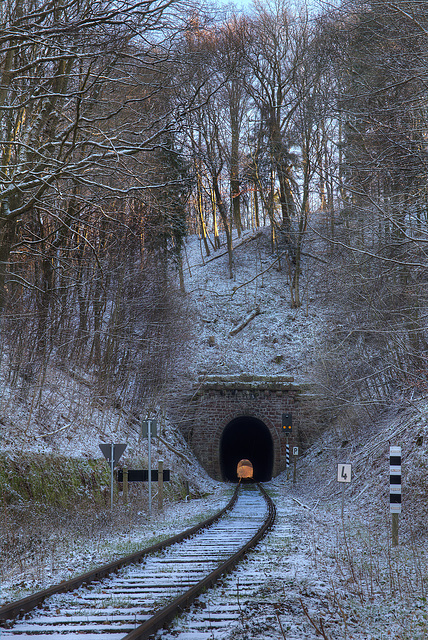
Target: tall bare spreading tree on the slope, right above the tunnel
{"x": 285, "y": 87}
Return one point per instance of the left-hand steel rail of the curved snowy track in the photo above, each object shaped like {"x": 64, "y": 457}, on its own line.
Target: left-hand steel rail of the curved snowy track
{"x": 15, "y": 609}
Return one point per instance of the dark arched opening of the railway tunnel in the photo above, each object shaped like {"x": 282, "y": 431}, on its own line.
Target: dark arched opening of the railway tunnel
{"x": 246, "y": 437}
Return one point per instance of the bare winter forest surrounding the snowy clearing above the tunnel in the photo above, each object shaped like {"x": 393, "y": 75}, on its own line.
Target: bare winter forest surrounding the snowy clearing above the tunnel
{"x": 125, "y": 126}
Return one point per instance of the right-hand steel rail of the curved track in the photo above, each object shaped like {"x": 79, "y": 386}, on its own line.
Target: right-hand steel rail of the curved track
{"x": 183, "y": 602}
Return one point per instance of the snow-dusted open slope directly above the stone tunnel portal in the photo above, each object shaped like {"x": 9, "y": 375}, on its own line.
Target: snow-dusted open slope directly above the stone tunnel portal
{"x": 279, "y": 341}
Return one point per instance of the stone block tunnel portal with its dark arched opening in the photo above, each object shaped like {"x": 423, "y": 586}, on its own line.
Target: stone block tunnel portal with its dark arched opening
{"x": 232, "y": 417}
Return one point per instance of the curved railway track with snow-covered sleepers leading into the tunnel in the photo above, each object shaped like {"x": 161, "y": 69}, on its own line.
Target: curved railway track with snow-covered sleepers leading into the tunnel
{"x": 135, "y": 596}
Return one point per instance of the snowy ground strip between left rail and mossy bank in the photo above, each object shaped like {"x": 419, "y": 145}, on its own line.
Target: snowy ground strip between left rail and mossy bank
{"x": 122, "y": 532}
